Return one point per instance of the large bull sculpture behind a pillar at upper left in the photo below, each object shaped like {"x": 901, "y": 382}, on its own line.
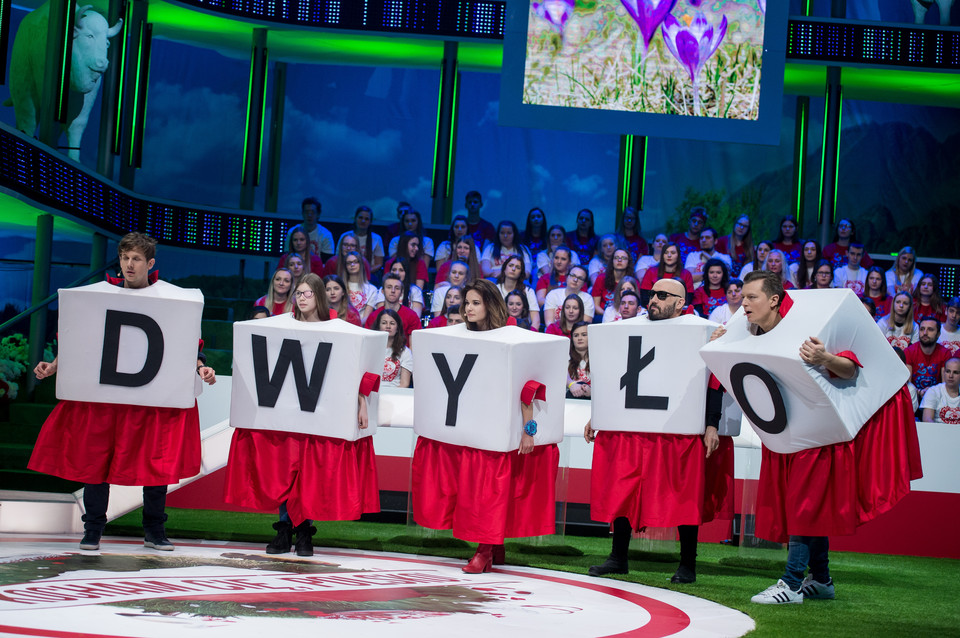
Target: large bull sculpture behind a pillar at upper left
{"x": 88, "y": 62}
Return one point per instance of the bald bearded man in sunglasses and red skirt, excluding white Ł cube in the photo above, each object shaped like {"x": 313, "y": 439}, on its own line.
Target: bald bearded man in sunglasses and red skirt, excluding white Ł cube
{"x": 667, "y": 479}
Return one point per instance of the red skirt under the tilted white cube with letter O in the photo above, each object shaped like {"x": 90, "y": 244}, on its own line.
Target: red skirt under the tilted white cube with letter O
{"x": 831, "y": 490}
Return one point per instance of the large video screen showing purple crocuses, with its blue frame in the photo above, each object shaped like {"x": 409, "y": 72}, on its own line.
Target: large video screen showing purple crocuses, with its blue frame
{"x": 694, "y": 69}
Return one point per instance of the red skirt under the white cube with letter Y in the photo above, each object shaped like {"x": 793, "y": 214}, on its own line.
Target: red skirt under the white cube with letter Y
{"x": 485, "y": 496}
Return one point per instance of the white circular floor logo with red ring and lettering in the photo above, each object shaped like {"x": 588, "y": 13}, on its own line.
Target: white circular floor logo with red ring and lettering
{"x": 48, "y": 588}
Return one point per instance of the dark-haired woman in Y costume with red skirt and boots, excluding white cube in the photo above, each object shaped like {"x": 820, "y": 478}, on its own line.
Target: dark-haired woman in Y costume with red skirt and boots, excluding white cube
{"x": 476, "y": 491}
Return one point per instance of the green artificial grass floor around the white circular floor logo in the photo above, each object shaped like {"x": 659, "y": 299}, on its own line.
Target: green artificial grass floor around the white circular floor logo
{"x": 876, "y": 594}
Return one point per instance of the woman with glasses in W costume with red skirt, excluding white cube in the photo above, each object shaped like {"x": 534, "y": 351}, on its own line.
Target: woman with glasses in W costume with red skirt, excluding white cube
{"x": 266, "y": 468}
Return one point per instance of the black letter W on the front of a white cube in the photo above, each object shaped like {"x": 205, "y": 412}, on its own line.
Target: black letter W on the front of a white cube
{"x": 291, "y": 354}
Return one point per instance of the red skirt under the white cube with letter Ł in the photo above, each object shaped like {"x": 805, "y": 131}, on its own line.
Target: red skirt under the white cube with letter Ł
{"x": 655, "y": 480}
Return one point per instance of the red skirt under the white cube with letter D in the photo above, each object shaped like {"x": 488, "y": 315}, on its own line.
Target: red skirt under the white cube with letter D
{"x": 118, "y": 444}
